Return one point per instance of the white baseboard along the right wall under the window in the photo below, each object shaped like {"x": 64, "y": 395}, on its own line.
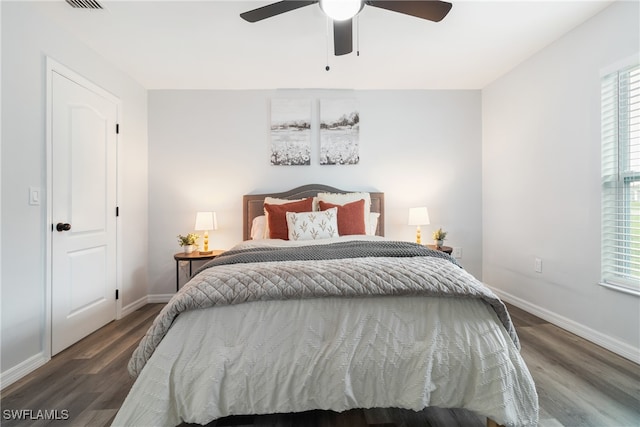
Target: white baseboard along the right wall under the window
{"x": 620, "y": 348}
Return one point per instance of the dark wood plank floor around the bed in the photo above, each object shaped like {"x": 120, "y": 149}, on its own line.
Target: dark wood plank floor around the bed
{"x": 579, "y": 384}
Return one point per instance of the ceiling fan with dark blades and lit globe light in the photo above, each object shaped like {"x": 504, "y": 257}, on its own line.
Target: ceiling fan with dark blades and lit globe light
{"x": 343, "y": 11}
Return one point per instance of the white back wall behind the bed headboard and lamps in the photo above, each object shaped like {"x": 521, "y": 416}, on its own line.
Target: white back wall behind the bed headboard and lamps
{"x": 208, "y": 148}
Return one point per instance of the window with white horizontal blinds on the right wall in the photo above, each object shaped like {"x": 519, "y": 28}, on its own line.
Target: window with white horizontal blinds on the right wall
{"x": 621, "y": 179}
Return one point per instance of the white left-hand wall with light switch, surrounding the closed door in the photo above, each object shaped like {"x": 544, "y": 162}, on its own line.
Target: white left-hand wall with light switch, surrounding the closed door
{"x": 27, "y": 39}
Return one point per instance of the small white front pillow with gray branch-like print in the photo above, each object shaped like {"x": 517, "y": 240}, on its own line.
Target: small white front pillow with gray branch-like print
{"x": 313, "y": 225}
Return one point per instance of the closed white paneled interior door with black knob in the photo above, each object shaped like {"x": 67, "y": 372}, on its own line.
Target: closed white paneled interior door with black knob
{"x": 83, "y": 209}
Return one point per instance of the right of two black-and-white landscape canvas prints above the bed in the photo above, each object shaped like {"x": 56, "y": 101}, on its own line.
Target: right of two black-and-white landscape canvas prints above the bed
{"x": 339, "y": 132}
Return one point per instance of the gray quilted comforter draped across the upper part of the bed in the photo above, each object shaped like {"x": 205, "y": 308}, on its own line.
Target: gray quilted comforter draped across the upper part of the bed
{"x": 347, "y": 269}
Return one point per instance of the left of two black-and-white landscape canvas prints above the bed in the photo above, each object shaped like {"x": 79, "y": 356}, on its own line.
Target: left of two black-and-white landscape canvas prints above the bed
{"x": 290, "y": 132}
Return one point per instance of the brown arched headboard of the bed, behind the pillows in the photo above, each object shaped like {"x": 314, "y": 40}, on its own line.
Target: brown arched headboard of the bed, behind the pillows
{"x": 252, "y": 204}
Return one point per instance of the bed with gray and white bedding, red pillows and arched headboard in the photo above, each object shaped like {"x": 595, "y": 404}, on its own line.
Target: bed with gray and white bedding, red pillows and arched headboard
{"x": 334, "y": 322}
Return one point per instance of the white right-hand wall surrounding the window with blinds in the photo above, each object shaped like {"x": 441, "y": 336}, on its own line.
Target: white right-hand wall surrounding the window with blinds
{"x": 541, "y": 182}
